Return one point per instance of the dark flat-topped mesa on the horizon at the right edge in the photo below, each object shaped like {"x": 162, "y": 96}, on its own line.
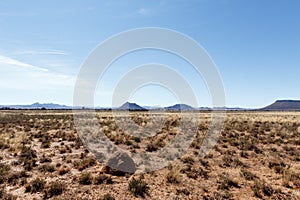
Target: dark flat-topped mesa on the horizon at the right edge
{"x": 284, "y": 105}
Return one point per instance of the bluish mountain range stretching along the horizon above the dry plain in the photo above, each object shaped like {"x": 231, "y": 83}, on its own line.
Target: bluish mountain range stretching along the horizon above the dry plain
{"x": 278, "y": 105}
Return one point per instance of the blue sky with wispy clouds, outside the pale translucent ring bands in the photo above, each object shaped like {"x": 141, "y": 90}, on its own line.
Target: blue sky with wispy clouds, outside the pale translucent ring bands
{"x": 254, "y": 44}
